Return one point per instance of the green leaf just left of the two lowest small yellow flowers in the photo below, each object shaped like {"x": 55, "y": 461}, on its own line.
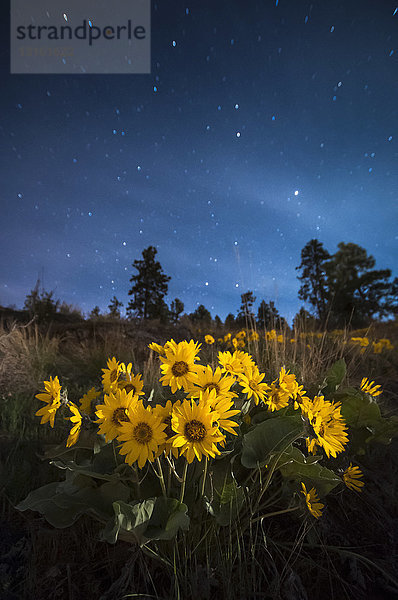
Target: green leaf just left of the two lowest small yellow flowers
{"x": 313, "y": 474}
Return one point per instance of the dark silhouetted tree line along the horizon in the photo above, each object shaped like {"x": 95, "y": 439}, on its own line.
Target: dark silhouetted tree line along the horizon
{"x": 341, "y": 289}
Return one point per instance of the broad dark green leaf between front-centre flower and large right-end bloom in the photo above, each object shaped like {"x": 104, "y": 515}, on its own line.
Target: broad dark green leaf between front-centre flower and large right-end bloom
{"x": 269, "y": 437}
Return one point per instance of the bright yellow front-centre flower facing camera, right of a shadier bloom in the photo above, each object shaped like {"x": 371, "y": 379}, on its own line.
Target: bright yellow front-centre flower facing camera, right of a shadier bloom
{"x": 196, "y": 436}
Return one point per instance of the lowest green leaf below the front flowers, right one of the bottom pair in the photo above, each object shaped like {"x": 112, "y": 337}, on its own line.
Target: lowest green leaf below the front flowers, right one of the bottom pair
{"x": 169, "y": 515}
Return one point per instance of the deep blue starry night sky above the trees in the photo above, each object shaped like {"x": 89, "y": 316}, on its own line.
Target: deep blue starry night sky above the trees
{"x": 262, "y": 125}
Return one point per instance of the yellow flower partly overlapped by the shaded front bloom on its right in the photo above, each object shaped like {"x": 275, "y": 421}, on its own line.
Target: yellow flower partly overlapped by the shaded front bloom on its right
{"x": 113, "y": 413}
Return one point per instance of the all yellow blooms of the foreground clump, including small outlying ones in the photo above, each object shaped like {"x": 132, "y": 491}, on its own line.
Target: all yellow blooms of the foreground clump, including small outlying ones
{"x": 196, "y": 423}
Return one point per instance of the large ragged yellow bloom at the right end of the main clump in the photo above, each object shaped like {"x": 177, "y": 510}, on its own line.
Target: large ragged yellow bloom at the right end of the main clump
{"x": 327, "y": 423}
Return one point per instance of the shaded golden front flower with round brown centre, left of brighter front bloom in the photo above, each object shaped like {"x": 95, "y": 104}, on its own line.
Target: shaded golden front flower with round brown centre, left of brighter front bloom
{"x": 141, "y": 435}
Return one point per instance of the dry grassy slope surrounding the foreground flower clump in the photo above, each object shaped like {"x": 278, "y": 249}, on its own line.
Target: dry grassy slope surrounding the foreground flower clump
{"x": 39, "y": 562}
